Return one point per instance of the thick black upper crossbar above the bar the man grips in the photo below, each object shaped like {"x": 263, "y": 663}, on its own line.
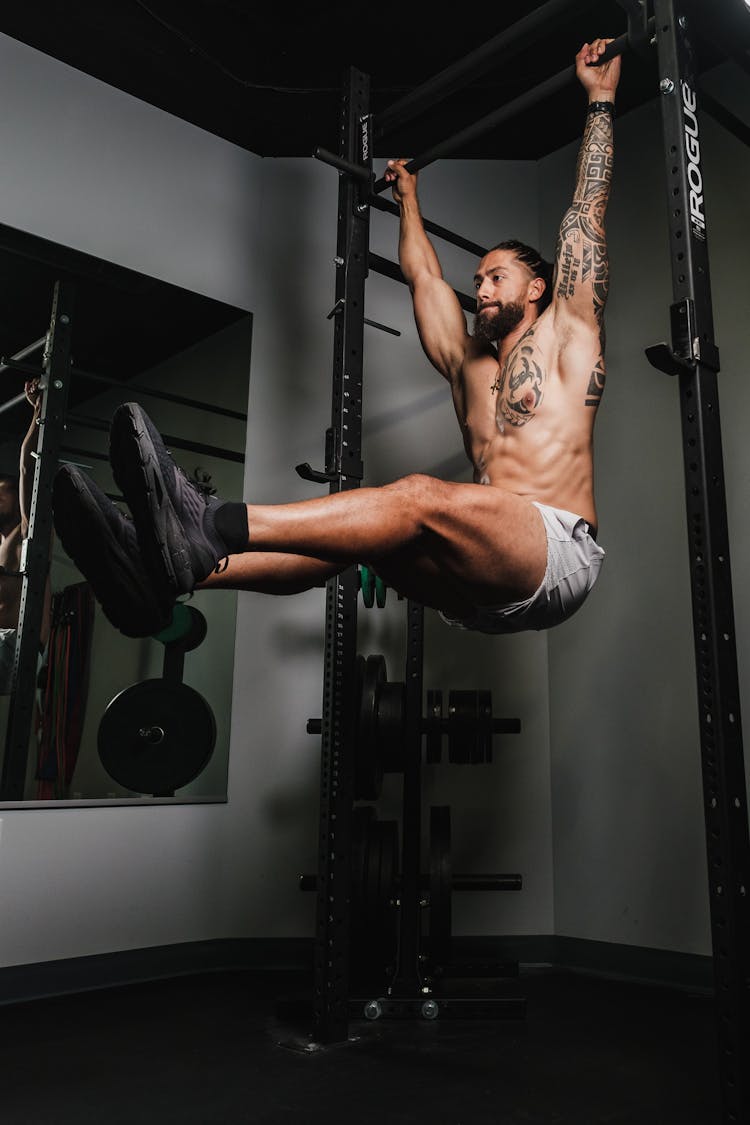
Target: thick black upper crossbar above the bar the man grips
{"x": 473, "y": 66}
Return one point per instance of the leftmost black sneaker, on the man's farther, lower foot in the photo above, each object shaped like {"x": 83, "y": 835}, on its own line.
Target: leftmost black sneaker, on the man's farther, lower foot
{"x": 103, "y": 544}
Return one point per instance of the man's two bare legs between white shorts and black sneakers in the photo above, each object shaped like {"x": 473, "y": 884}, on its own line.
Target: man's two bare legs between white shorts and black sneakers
{"x": 427, "y": 538}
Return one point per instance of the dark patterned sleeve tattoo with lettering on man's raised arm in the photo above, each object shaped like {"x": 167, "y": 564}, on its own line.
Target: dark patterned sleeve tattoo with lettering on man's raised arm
{"x": 582, "y": 254}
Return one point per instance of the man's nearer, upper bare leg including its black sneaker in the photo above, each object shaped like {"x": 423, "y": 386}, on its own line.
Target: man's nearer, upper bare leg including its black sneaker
{"x": 486, "y": 546}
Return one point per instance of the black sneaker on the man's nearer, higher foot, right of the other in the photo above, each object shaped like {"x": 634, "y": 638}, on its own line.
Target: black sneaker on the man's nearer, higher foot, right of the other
{"x": 174, "y": 518}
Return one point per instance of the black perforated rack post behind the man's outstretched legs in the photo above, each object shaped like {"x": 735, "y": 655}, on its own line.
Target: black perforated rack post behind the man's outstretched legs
{"x": 344, "y": 472}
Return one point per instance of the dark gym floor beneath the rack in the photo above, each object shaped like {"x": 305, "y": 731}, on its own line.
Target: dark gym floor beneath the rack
{"x": 221, "y": 1049}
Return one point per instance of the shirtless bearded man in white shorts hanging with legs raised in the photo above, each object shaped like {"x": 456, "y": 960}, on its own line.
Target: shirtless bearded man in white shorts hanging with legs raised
{"x": 513, "y": 551}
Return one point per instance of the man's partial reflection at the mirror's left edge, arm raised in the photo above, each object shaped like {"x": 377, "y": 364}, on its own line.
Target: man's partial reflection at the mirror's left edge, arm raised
{"x": 15, "y": 506}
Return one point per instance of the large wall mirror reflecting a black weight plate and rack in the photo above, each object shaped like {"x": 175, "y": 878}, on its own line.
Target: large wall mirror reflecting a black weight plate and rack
{"x": 113, "y": 718}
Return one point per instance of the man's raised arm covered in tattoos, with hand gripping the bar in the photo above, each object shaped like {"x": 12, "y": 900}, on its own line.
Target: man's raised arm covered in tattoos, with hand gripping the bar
{"x": 582, "y": 272}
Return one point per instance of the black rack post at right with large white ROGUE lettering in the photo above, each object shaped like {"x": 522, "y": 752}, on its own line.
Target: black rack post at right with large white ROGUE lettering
{"x": 694, "y": 359}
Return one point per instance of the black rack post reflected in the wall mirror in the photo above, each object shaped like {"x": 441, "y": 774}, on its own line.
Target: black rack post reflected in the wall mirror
{"x": 35, "y": 560}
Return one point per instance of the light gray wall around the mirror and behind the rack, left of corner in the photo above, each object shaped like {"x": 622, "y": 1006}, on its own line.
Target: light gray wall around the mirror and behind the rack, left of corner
{"x": 91, "y": 167}
